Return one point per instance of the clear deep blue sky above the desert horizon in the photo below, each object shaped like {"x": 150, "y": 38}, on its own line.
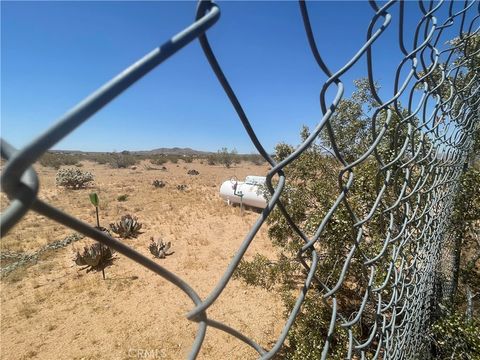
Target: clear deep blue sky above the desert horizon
{"x": 53, "y": 54}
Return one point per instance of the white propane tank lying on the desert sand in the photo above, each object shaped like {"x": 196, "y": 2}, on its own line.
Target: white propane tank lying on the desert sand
{"x": 231, "y": 191}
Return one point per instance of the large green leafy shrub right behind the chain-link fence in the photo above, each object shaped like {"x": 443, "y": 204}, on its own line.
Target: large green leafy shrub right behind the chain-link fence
{"x": 310, "y": 193}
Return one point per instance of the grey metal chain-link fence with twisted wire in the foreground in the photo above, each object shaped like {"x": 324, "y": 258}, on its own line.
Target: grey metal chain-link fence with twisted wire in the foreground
{"x": 427, "y": 162}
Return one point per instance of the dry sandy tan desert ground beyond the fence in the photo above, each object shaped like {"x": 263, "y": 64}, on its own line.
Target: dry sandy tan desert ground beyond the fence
{"x": 50, "y": 309}
